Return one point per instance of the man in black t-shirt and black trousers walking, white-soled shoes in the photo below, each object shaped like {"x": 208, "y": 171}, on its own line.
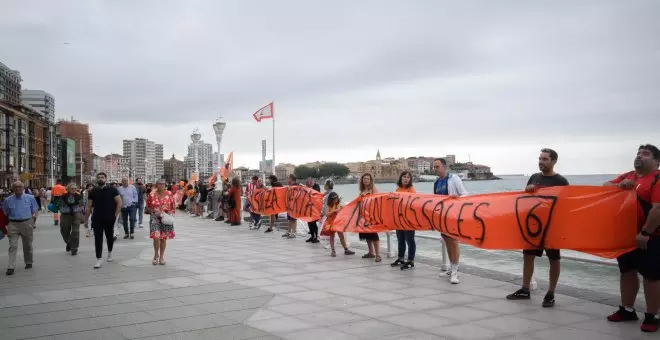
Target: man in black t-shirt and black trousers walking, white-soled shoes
{"x": 104, "y": 204}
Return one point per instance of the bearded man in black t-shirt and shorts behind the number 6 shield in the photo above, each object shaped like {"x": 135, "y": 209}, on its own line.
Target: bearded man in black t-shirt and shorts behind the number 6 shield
{"x": 546, "y": 178}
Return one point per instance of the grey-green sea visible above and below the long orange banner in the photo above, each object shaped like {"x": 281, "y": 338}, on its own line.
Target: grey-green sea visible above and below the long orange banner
{"x": 601, "y": 275}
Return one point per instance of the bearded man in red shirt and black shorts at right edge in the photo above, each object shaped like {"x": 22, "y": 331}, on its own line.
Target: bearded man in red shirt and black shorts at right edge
{"x": 645, "y": 180}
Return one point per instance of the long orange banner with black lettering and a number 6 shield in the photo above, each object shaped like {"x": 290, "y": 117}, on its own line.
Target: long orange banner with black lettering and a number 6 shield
{"x": 597, "y": 220}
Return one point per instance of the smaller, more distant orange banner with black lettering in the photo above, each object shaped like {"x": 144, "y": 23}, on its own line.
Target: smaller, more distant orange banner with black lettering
{"x": 298, "y": 201}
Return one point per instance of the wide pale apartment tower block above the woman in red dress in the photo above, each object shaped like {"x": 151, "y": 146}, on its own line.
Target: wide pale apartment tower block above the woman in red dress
{"x": 142, "y": 158}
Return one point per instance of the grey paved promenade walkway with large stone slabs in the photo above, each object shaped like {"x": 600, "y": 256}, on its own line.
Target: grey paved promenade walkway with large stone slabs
{"x": 224, "y": 282}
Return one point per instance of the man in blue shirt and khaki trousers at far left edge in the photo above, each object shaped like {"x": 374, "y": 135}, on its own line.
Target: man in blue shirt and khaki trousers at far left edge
{"x": 21, "y": 211}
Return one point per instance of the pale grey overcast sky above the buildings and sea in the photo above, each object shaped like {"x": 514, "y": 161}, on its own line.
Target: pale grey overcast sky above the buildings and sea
{"x": 490, "y": 80}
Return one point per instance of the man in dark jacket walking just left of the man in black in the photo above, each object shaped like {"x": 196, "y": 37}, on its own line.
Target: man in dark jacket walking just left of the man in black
{"x": 71, "y": 208}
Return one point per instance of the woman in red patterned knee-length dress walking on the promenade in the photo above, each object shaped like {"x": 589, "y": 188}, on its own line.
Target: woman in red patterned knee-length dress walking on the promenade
{"x": 160, "y": 202}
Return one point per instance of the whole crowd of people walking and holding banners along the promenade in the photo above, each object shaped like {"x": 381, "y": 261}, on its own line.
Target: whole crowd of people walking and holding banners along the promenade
{"x": 103, "y": 204}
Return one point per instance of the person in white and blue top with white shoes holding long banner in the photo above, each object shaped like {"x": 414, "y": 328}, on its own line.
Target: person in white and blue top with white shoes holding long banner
{"x": 448, "y": 184}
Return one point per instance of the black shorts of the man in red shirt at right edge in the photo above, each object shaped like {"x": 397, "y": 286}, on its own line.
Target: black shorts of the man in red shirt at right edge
{"x": 646, "y": 262}
